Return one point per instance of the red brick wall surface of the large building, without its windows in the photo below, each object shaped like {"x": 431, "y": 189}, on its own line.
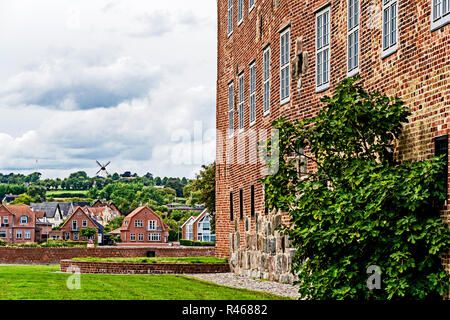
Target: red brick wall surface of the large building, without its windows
{"x": 419, "y": 73}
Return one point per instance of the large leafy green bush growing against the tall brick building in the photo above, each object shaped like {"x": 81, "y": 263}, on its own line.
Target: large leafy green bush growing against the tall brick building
{"x": 360, "y": 208}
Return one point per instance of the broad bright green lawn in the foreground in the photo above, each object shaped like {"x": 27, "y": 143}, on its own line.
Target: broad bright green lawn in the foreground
{"x": 42, "y": 282}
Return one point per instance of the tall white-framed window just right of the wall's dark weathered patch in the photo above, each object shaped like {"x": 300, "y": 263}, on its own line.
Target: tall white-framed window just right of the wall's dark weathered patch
{"x": 323, "y": 49}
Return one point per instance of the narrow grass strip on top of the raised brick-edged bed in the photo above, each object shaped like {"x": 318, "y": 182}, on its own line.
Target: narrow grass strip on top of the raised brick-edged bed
{"x": 157, "y": 260}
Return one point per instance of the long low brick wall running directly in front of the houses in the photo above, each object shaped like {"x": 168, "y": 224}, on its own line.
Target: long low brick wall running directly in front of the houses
{"x": 55, "y": 255}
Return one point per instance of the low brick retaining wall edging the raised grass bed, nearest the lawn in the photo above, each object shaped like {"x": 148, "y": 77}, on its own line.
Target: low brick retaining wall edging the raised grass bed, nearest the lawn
{"x": 142, "y": 268}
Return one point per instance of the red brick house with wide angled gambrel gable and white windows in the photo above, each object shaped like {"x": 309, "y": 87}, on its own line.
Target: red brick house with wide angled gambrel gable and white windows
{"x": 143, "y": 226}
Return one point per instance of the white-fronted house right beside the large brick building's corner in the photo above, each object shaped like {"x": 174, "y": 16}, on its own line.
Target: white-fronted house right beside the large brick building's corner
{"x": 198, "y": 228}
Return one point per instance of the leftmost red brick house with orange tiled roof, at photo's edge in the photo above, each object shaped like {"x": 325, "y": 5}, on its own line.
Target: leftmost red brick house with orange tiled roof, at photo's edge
{"x": 18, "y": 224}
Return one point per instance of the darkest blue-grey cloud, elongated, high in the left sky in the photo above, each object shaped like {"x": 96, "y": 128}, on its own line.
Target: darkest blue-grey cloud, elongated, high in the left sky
{"x": 67, "y": 84}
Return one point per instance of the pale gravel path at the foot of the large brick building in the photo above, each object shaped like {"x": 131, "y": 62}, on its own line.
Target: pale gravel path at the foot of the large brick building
{"x": 241, "y": 282}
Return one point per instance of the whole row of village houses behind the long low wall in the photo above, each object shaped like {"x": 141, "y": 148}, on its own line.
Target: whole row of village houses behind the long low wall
{"x": 66, "y": 221}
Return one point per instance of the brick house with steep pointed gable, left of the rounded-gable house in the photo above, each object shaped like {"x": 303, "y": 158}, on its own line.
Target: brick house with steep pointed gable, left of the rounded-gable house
{"x": 79, "y": 219}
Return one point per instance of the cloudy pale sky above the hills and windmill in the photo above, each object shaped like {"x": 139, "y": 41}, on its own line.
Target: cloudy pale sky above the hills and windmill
{"x": 126, "y": 81}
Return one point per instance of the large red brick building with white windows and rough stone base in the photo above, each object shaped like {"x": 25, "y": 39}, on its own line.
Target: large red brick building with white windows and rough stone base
{"x": 279, "y": 58}
